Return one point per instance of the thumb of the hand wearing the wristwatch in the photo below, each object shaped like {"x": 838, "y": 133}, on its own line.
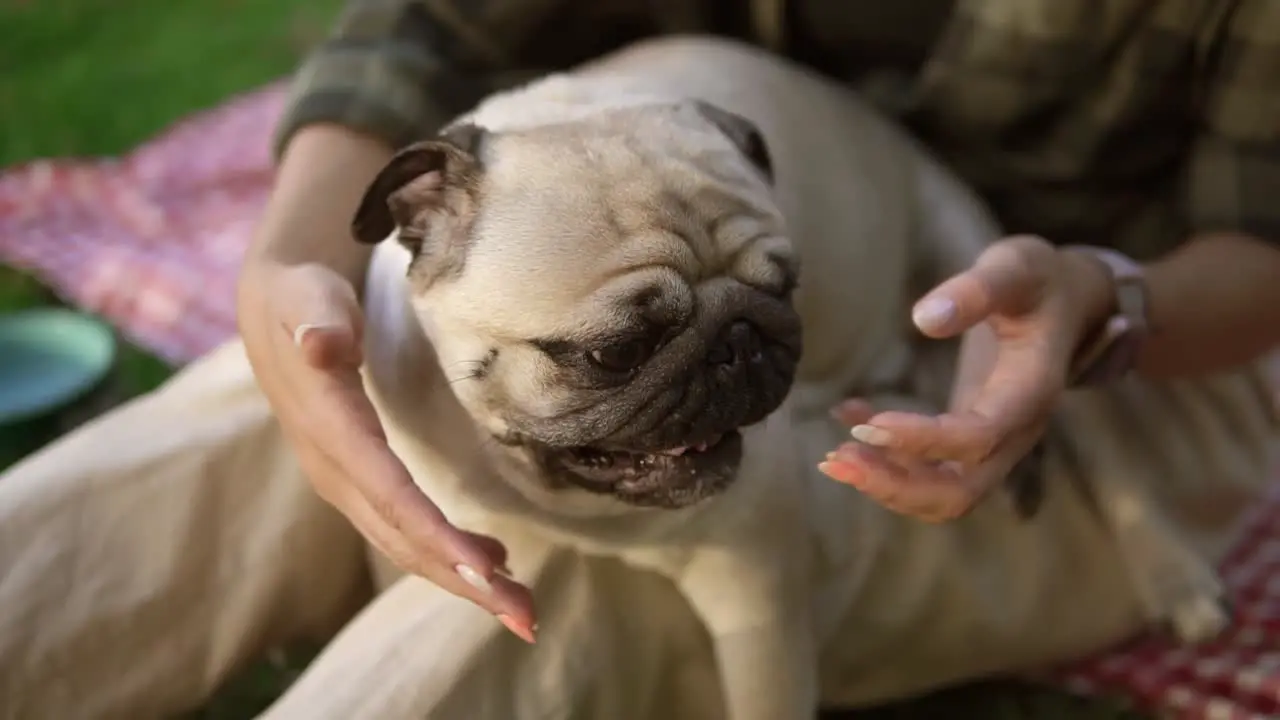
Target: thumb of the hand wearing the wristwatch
{"x": 1008, "y": 279}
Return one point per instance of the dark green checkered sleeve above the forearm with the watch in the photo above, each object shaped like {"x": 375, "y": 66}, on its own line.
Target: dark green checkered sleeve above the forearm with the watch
{"x": 1235, "y": 171}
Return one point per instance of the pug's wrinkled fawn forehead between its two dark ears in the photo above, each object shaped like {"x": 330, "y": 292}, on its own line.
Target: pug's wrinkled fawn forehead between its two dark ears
{"x": 593, "y": 207}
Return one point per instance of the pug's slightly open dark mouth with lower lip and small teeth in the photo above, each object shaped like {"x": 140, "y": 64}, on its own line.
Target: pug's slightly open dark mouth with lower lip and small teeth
{"x": 673, "y": 479}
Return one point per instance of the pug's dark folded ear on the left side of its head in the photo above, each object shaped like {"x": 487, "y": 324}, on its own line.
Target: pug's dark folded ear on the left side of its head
{"x": 419, "y": 180}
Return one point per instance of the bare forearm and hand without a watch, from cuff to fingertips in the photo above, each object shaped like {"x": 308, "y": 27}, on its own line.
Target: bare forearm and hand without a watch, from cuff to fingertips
{"x": 301, "y": 323}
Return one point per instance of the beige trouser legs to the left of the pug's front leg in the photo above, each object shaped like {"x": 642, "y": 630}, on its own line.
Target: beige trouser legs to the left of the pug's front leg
{"x": 154, "y": 552}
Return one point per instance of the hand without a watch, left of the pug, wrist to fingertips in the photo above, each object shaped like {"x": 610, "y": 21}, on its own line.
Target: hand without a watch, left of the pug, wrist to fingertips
{"x": 301, "y": 330}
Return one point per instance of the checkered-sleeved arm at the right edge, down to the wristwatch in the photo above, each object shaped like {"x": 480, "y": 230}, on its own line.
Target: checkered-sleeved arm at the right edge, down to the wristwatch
{"x": 1215, "y": 302}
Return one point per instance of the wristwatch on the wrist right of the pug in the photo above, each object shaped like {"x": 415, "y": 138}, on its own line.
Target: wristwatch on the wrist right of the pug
{"x": 1112, "y": 352}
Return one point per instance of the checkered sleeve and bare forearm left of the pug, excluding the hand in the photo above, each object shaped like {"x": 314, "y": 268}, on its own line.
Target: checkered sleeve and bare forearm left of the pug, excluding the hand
{"x": 387, "y": 75}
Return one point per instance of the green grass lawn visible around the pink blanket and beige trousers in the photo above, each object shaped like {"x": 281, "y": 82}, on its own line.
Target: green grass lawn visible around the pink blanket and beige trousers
{"x": 95, "y": 78}
